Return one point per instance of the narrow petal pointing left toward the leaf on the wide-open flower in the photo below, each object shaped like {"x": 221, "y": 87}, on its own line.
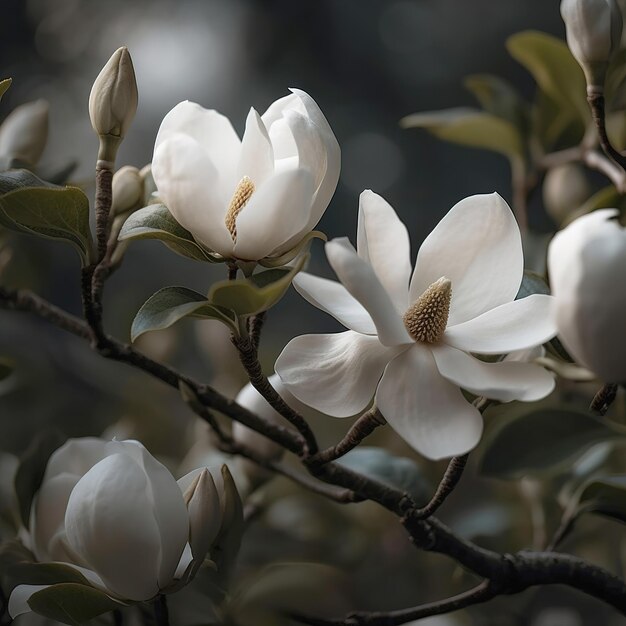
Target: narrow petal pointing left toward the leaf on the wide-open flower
{"x": 333, "y": 298}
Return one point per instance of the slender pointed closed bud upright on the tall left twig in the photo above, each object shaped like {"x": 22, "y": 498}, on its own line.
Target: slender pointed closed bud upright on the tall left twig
{"x": 113, "y": 102}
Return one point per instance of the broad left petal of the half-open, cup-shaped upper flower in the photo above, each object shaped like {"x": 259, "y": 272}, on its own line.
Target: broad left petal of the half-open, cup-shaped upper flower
{"x": 187, "y": 180}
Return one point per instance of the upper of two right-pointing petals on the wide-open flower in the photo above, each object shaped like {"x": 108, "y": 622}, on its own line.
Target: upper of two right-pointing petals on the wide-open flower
{"x": 513, "y": 326}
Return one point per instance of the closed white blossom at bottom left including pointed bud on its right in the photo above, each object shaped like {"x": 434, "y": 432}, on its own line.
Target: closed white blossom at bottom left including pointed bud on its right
{"x": 114, "y": 513}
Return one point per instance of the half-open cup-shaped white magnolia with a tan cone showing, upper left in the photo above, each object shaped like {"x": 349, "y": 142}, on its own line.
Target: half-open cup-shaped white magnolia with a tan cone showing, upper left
{"x": 247, "y": 198}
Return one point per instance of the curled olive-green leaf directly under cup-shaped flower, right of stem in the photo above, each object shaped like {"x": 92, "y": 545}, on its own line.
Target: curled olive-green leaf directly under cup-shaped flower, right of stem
{"x": 259, "y": 292}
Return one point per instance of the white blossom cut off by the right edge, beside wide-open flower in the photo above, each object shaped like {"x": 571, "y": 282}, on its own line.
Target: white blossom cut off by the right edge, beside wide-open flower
{"x": 586, "y": 263}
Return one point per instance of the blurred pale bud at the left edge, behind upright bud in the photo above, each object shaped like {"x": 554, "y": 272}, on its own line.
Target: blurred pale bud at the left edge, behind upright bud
{"x": 24, "y": 133}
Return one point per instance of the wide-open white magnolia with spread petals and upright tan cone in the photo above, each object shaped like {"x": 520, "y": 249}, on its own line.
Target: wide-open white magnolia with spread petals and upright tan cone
{"x": 411, "y": 339}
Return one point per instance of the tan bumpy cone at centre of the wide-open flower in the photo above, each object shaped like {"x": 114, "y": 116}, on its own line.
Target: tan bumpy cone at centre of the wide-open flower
{"x": 426, "y": 319}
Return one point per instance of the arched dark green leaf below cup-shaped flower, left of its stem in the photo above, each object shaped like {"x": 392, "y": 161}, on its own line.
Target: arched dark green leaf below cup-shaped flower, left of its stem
{"x": 170, "y": 304}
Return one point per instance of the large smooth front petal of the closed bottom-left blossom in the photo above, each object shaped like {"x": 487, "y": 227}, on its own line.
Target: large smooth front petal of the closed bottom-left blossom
{"x": 109, "y": 521}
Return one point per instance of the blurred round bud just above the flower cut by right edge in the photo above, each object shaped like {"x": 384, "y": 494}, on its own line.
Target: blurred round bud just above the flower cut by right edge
{"x": 565, "y": 189}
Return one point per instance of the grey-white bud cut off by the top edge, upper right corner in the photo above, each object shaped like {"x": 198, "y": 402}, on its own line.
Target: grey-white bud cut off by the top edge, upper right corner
{"x": 594, "y": 31}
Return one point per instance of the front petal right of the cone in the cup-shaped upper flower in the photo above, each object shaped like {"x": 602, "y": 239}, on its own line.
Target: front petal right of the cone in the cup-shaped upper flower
{"x": 277, "y": 210}
